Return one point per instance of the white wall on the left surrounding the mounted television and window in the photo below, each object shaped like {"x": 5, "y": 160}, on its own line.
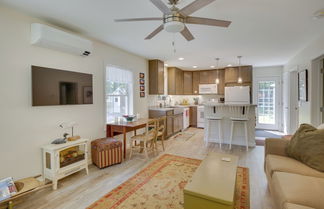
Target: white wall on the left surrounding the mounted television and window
{"x": 23, "y": 128}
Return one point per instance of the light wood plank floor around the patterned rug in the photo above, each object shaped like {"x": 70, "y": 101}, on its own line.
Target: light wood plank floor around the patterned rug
{"x": 80, "y": 190}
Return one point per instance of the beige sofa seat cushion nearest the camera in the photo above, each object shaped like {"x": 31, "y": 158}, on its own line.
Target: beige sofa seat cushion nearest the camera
{"x": 297, "y": 189}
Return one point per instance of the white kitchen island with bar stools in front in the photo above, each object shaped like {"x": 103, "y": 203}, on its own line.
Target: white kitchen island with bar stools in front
{"x": 216, "y": 113}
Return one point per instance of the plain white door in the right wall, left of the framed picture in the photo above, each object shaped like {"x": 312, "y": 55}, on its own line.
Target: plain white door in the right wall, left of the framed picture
{"x": 290, "y": 102}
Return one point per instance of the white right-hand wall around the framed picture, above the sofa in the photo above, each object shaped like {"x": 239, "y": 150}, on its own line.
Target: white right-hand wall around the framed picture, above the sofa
{"x": 309, "y": 111}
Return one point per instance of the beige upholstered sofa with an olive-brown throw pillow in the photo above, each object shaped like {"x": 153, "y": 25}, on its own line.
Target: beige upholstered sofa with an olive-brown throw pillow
{"x": 293, "y": 185}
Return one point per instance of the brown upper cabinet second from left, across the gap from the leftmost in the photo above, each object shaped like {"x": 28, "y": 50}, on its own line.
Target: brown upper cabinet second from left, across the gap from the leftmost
{"x": 175, "y": 81}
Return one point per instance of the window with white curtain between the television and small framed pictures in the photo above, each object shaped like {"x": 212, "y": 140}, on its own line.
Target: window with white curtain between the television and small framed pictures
{"x": 119, "y": 92}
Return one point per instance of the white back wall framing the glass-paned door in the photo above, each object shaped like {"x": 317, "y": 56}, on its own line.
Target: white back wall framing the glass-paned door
{"x": 266, "y": 72}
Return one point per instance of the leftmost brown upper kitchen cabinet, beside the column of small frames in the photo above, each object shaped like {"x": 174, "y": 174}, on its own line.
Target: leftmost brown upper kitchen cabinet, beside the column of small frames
{"x": 156, "y": 77}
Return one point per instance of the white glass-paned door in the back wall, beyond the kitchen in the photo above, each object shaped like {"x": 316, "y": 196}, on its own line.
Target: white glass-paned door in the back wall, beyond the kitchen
{"x": 268, "y": 101}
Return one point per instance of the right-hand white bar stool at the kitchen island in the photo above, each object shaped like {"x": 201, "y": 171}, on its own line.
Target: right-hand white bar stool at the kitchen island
{"x": 241, "y": 114}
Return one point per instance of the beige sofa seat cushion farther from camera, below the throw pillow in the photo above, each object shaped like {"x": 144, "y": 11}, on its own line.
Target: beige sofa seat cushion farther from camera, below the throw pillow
{"x": 290, "y": 165}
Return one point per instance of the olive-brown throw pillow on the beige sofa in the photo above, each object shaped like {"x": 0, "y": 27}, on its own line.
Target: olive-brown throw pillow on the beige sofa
{"x": 307, "y": 146}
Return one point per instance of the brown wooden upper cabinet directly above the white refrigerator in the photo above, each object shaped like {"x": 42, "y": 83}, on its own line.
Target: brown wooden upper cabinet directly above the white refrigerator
{"x": 232, "y": 74}
